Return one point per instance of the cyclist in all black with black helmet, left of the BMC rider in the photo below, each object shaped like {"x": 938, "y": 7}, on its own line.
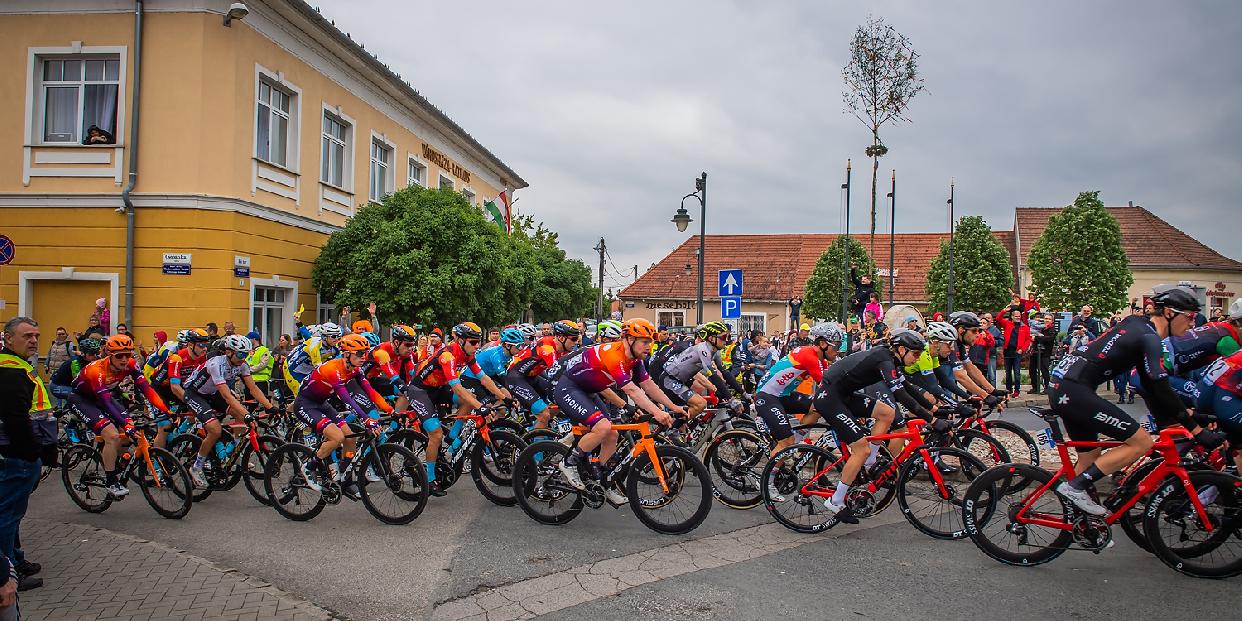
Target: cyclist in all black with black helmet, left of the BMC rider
{"x": 841, "y": 402}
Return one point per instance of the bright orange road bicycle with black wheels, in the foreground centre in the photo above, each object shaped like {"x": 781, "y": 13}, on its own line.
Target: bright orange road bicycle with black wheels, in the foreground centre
{"x": 668, "y": 487}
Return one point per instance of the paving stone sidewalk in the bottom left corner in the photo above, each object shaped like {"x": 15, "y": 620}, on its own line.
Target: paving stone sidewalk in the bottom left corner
{"x": 96, "y": 574}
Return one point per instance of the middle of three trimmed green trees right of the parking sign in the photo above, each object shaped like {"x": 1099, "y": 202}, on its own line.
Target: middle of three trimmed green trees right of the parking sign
{"x": 982, "y": 271}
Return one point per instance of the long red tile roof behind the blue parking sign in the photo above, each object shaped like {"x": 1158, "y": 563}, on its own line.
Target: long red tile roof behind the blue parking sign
{"x": 777, "y": 266}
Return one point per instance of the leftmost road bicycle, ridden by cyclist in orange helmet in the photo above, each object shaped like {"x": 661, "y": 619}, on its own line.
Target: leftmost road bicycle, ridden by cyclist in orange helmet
{"x": 165, "y": 483}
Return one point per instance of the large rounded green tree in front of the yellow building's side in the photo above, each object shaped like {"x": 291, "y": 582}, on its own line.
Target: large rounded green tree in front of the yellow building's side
{"x": 430, "y": 258}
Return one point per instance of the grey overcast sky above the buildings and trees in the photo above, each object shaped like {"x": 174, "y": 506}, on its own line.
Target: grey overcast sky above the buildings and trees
{"x": 609, "y": 111}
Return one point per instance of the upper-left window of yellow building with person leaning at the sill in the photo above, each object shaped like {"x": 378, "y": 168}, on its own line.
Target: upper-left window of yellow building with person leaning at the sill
{"x": 79, "y": 94}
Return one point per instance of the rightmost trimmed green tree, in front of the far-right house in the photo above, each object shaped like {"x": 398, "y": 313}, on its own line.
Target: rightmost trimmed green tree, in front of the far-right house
{"x": 1080, "y": 260}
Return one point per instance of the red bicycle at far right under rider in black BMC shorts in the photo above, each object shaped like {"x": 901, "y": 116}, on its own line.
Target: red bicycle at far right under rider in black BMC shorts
{"x": 1193, "y": 520}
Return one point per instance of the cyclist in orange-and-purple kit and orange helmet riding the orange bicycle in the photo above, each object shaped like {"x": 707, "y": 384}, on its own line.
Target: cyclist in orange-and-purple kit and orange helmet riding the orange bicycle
{"x": 593, "y": 373}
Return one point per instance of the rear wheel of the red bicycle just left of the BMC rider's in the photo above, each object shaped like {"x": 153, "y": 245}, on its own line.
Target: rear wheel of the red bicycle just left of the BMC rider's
{"x": 788, "y": 479}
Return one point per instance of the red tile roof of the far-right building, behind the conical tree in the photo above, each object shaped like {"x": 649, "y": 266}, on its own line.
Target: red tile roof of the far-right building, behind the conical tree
{"x": 1149, "y": 242}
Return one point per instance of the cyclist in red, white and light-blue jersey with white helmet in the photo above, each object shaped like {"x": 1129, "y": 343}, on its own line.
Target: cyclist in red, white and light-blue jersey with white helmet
{"x": 777, "y": 396}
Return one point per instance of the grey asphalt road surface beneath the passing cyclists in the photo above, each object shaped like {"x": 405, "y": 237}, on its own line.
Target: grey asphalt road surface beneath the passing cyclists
{"x": 464, "y": 547}
